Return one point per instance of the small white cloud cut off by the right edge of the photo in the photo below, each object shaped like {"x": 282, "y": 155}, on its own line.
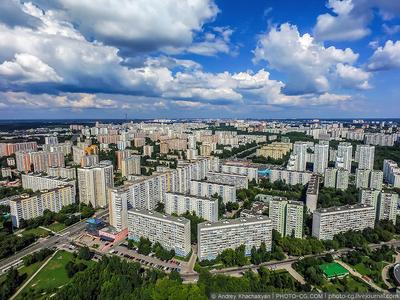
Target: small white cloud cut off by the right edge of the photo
{"x": 386, "y": 57}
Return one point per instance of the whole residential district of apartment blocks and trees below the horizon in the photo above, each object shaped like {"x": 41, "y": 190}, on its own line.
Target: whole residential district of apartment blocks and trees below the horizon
{"x": 200, "y": 207}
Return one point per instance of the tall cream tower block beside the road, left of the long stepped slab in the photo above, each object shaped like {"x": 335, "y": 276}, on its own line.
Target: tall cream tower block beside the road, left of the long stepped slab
{"x": 93, "y": 183}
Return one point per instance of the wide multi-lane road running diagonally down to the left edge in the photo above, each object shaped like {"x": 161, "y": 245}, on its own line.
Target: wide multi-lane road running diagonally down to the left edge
{"x": 49, "y": 242}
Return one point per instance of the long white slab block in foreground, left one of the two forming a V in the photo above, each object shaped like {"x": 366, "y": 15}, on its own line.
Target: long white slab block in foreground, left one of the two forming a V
{"x": 171, "y": 232}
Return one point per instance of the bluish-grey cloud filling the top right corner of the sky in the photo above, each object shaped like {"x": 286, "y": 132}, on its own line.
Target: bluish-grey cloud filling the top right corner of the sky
{"x": 349, "y": 19}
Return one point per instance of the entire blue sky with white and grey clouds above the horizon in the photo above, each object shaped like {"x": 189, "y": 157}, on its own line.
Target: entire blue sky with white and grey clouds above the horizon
{"x": 138, "y": 59}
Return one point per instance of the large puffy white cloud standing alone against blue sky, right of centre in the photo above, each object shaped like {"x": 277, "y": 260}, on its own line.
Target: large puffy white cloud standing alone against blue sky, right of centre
{"x": 309, "y": 65}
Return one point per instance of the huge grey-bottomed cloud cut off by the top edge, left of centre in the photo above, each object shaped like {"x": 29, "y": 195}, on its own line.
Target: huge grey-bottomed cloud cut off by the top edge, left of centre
{"x": 140, "y": 25}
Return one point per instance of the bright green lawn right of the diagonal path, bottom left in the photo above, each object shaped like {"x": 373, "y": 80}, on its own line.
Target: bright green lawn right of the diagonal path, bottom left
{"x": 50, "y": 278}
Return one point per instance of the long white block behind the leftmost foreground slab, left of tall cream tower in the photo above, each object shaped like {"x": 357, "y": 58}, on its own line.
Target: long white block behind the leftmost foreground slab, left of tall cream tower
{"x": 37, "y": 182}
